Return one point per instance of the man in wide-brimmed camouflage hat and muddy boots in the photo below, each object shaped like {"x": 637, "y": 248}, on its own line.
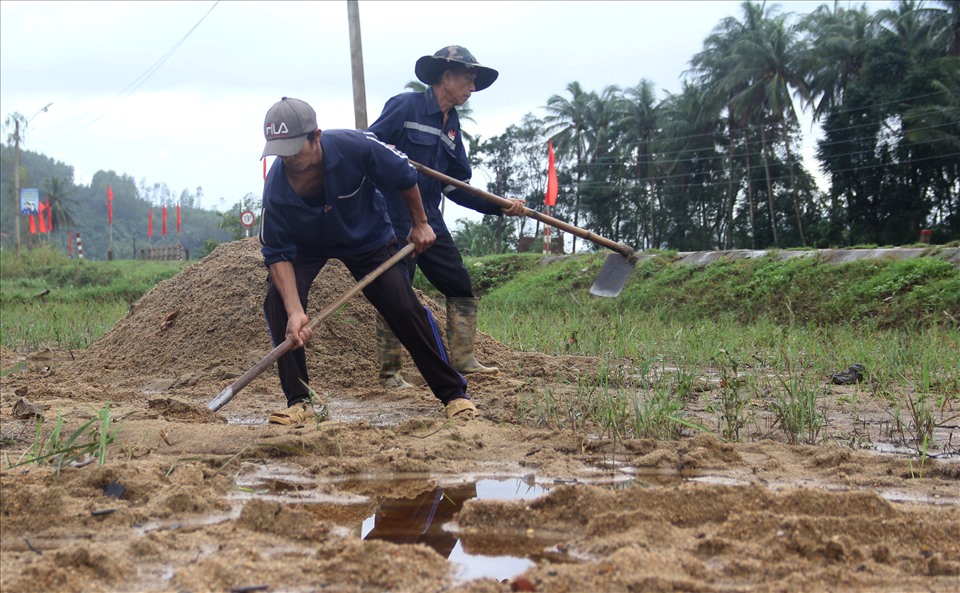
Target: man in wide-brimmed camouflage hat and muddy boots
{"x": 425, "y": 126}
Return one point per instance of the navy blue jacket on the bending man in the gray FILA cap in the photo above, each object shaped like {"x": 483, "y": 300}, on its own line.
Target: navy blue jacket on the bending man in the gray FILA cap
{"x": 351, "y": 218}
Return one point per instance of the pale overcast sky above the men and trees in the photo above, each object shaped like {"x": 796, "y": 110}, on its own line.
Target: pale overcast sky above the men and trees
{"x": 129, "y": 97}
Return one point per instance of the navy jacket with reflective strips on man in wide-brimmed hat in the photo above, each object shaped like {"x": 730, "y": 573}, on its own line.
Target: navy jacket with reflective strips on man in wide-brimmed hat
{"x": 412, "y": 123}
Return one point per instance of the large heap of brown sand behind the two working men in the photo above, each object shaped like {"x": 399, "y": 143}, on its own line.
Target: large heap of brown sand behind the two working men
{"x": 205, "y": 327}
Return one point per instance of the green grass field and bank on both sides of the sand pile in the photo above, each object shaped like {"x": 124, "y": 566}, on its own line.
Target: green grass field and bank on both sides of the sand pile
{"x": 775, "y": 329}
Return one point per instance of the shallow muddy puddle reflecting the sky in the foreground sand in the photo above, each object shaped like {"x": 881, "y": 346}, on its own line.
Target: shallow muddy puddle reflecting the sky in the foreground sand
{"x": 426, "y": 512}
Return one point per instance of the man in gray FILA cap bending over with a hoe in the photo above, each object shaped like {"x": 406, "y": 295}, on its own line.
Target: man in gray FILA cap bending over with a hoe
{"x": 323, "y": 199}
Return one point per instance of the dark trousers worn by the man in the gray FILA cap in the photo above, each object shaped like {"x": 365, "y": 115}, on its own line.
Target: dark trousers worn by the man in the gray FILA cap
{"x": 392, "y": 295}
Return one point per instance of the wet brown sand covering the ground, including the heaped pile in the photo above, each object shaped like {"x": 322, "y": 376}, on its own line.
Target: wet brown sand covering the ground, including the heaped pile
{"x": 386, "y": 494}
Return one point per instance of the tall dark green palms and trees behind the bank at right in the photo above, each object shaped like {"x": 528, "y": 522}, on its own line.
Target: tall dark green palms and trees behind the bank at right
{"x": 715, "y": 166}
